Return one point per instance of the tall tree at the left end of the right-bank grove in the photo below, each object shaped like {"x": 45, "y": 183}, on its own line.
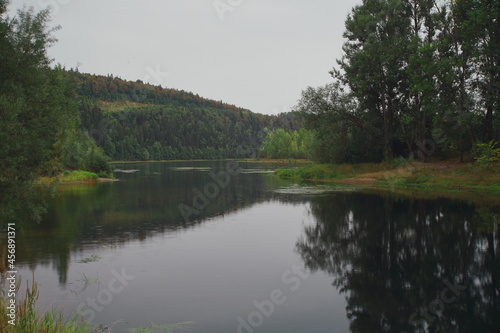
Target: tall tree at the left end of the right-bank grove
{"x": 375, "y": 55}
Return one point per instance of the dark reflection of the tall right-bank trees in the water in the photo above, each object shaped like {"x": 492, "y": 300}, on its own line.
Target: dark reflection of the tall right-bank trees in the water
{"x": 408, "y": 265}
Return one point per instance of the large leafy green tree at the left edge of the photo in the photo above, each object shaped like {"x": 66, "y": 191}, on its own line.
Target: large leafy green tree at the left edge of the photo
{"x": 35, "y": 104}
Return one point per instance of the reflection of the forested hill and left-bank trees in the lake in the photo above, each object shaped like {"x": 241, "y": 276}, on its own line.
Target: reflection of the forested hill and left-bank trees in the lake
{"x": 139, "y": 206}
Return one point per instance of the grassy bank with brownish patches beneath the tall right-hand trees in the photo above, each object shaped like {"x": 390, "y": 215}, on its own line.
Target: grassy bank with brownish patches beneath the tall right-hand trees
{"x": 442, "y": 176}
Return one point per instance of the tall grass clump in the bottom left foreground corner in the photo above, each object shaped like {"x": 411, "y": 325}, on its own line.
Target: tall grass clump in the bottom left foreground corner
{"x": 28, "y": 320}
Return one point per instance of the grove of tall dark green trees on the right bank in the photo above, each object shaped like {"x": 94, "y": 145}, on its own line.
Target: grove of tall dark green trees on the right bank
{"x": 418, "y": 79}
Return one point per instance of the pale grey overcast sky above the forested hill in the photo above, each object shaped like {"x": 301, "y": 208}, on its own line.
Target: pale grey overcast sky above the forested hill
{"x": 255, "y": 54}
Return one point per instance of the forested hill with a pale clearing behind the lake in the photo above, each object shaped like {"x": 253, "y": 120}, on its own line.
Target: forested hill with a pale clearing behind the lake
{"x": 137, "y": 121}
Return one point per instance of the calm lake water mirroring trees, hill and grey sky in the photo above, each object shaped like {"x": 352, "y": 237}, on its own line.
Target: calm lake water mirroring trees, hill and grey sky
{"x": 230, "y": 248}
